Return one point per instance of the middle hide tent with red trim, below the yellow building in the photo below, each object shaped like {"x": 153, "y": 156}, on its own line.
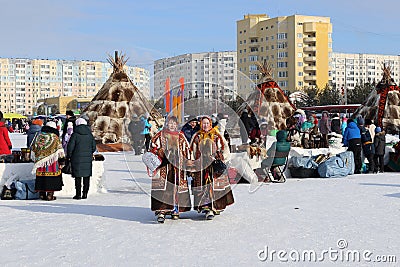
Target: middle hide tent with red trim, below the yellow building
{"x": 268, "y": 101}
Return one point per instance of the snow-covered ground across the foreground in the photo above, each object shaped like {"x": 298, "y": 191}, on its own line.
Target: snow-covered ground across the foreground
{"x": 360, "y": 212}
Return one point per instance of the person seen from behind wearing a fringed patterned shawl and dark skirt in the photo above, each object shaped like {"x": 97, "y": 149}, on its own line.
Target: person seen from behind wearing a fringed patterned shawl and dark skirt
{"x": 47, "y": 150}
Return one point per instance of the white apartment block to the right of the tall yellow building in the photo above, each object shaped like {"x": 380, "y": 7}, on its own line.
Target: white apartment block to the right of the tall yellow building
{"x": 348, "y": 70}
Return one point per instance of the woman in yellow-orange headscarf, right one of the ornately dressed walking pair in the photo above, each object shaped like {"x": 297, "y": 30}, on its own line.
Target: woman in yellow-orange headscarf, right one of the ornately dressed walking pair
{"x": 212, "y": 191}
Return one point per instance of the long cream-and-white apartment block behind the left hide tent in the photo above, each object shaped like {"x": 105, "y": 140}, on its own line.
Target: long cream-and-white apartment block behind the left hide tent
{"x": 24, "y": 81}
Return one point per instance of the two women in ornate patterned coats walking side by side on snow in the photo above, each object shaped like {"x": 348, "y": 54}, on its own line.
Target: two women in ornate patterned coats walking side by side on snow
{"x": 196, "y": 151}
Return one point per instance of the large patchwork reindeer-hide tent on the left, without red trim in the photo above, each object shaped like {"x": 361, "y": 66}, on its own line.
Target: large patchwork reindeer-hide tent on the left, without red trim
{"x": 111, "y": 110}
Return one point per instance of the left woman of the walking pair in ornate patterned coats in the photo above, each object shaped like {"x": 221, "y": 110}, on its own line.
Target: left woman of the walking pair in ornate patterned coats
{"x": 170, "y": 191}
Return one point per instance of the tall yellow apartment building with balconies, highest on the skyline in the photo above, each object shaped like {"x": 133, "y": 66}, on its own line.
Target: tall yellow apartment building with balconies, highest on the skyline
{"x": 297, "y": 47}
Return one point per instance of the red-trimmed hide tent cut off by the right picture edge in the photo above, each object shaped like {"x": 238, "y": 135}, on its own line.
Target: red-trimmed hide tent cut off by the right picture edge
{"x": 383, "y": 104}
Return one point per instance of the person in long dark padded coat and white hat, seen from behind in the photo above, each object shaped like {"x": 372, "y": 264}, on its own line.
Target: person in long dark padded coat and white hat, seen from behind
{"x": 80, "y": 151}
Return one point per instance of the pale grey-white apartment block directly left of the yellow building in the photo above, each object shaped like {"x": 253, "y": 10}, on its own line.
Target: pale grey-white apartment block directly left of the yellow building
{"x": 206, "y": 75}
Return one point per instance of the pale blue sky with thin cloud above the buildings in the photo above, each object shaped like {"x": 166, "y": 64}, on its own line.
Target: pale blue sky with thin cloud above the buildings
{"x": 150, "y": 30}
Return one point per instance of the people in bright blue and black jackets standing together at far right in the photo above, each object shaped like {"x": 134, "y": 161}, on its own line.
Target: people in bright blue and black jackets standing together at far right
{"x": 365, "y": 140}
